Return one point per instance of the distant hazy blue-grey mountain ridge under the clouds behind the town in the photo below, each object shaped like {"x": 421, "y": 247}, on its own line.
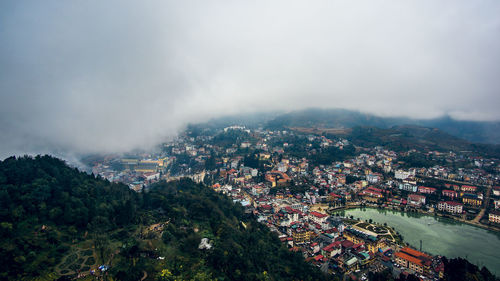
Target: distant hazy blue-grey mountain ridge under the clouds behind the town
{"x": 473, "y": 131}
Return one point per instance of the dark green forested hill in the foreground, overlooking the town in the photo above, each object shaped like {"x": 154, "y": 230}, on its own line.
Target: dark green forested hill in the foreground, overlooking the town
{"x": 55, "y": 220}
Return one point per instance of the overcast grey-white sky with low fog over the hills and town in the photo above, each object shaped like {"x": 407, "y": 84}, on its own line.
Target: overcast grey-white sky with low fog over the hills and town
{"x": 91, "y": 76}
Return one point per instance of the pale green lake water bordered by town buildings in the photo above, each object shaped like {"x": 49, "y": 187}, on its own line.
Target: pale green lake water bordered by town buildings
{"x": 440, "y": 236}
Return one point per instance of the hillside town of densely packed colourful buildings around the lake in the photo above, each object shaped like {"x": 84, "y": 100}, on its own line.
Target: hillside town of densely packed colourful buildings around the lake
{"x": 297, "y": 184}
